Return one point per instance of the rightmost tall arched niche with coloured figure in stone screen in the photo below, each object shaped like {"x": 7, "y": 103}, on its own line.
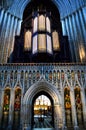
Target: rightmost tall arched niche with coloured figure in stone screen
{"x": 78, "y": 103}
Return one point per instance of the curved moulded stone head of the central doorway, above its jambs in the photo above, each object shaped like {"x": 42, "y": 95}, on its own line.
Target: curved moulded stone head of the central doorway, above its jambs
{"x": 42, "y": 86}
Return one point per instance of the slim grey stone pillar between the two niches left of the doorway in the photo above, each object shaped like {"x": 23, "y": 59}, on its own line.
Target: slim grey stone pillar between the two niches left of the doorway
{"x": 11, "y": 108}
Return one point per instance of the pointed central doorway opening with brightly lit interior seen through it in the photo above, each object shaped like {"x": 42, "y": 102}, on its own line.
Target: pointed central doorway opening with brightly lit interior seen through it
{"x": 42, "y": 110}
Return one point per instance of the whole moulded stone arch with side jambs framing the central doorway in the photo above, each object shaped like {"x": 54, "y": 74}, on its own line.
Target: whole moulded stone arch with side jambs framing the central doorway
{"x": 42, "y": 86}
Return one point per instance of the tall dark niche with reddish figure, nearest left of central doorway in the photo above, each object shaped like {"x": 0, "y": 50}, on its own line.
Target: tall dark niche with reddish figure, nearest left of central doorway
{"x": 17, "y": 108}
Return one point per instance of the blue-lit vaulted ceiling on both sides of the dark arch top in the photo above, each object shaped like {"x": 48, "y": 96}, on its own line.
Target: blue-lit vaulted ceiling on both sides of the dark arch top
{"x": 65, "y": 7}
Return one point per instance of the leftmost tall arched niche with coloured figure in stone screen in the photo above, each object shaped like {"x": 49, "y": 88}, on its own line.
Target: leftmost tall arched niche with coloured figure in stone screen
{"x": 6, "y": 105}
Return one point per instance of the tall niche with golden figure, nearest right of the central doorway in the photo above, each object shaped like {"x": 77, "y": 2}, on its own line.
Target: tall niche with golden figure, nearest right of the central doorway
{"x": 67, "y": 104}
